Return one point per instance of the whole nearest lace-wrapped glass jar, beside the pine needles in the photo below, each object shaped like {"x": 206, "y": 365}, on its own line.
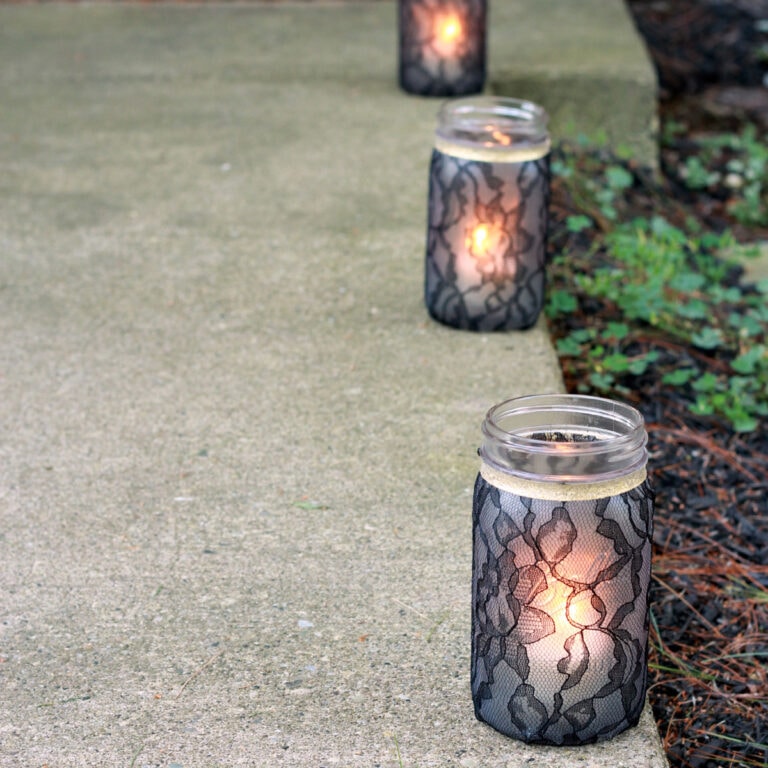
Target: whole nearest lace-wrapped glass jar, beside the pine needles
{"x": 562, "y": 524}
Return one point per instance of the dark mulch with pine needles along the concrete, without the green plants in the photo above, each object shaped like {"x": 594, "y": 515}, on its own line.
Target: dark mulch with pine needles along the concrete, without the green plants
{"x": 709, "y": 633}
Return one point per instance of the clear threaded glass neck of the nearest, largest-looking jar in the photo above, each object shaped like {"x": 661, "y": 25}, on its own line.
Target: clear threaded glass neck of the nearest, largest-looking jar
{"x": 565, "y": 439}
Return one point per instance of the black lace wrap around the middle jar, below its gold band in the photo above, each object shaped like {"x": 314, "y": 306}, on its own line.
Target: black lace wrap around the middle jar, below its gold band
{"x": 494, "y": 282}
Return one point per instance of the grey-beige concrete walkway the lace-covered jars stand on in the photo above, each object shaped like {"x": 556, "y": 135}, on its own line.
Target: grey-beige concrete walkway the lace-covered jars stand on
{"x": 236, "y": 456}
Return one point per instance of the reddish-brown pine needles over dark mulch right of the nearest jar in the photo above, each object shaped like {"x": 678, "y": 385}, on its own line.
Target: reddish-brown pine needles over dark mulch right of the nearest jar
{"x": 709, "y": 686}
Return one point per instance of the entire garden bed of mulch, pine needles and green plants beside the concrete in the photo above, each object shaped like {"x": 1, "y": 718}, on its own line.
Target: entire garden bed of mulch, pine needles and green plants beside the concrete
{"x": 646, "y": 305}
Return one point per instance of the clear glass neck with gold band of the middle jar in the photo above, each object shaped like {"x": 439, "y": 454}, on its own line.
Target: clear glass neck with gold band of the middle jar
{"x": 493, "y": 129}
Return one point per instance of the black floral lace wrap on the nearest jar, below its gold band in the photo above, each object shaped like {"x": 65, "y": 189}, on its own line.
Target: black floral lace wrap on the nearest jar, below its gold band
{"x": 560, "y": 613}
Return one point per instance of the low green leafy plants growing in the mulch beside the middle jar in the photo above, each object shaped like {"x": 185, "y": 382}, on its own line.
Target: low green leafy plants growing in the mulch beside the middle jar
{"x": 666, "y": 282}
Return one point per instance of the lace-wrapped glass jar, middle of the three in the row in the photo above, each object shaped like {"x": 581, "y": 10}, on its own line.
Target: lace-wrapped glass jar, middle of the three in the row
{"x": 487, "y": 214}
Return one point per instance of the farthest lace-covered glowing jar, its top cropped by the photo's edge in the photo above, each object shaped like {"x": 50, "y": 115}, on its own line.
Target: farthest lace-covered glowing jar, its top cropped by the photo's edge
{"x": 442, "y": 46}
